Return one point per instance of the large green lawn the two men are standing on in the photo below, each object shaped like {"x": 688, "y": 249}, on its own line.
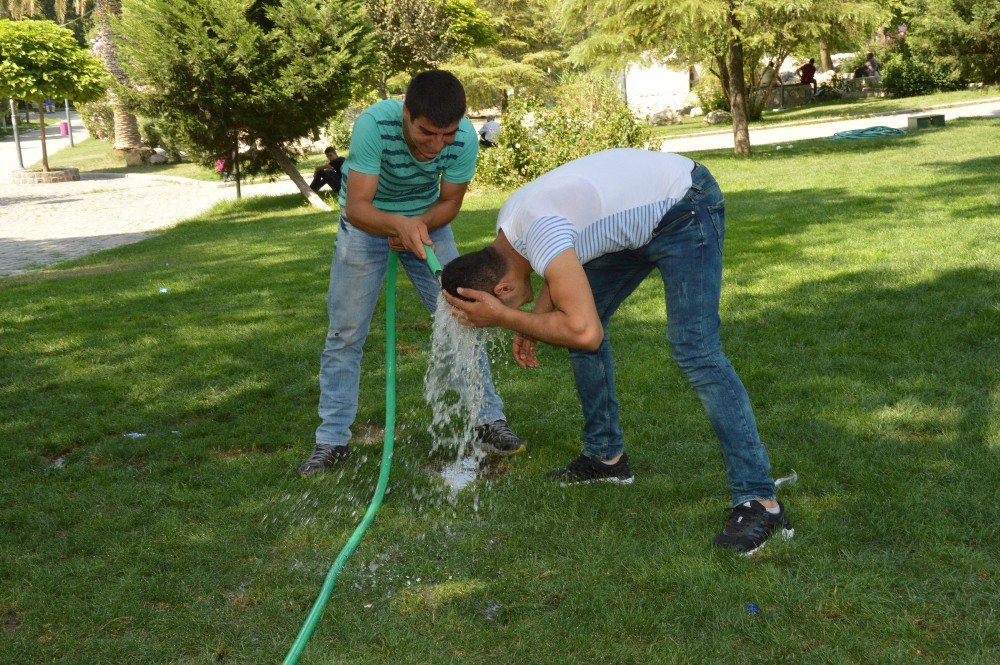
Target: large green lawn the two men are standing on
{"x": 861, "y": 311}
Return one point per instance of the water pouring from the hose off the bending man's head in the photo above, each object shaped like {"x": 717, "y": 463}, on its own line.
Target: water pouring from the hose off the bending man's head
{"x": 453, "y": 387}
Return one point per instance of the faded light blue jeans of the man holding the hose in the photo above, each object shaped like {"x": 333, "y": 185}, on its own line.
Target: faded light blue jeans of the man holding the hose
{"x": 356, "y": 275}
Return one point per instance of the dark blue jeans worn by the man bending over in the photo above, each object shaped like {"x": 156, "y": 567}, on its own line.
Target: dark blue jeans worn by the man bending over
{"x": 687, "y": 250}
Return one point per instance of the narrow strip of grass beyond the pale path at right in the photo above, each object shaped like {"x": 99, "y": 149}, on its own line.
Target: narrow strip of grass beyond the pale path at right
{"x": 834, "y": 110}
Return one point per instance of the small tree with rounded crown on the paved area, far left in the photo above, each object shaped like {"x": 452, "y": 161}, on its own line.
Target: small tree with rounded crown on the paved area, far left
{"x": 38, "y": 60}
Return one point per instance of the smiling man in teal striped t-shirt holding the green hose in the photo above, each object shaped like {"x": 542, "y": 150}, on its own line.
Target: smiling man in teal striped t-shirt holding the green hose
{"x": 404, "y": 181}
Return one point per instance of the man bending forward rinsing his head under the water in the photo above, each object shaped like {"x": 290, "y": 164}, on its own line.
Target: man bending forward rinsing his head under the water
{"x": 594, "y": 229}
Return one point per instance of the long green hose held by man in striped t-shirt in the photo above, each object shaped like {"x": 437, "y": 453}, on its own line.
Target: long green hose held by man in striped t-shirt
{"x": 387, "y": 448}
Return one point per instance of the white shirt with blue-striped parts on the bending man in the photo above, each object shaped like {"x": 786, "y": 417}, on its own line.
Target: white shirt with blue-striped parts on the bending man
{"x": 598, "y": 204}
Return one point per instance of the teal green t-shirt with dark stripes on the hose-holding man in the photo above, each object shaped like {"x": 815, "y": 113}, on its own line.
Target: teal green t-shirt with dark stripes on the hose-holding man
{"x": 405, "y": 186}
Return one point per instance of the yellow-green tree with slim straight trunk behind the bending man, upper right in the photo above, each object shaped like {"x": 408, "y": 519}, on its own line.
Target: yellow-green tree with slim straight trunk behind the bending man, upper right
{"x": 732, "y": 36}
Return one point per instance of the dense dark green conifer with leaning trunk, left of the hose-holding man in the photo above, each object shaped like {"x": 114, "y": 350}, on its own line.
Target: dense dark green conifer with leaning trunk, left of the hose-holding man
{"x": 219, "y": 74}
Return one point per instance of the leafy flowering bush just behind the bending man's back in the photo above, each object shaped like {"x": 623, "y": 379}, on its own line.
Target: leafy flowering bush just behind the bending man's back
{"x": 536, "y": 138}
